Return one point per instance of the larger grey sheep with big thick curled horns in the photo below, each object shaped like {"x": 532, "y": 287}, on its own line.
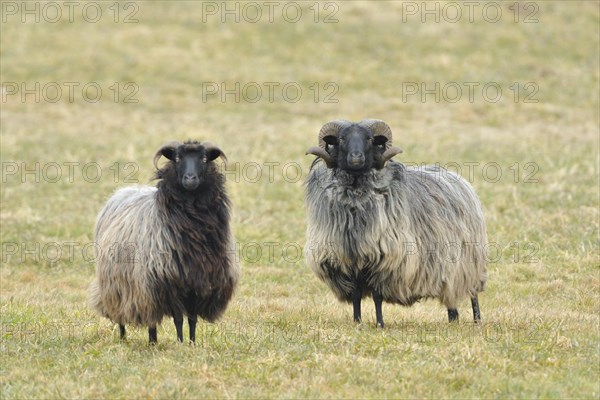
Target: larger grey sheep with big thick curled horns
{"x": 378, "y": 227}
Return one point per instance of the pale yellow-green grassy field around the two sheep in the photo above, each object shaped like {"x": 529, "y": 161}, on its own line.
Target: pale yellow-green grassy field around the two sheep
{"x": 87, "y": 100}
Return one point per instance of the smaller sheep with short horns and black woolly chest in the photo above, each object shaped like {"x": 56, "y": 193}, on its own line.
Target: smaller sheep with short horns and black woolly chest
{"x": 167, "y": 250}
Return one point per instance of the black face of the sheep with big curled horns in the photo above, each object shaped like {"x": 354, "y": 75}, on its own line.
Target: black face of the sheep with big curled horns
{"x": 355, "y": 148}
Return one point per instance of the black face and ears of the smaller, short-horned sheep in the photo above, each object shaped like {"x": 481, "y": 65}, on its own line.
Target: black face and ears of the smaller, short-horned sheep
{"x": 191, "y": 163}
